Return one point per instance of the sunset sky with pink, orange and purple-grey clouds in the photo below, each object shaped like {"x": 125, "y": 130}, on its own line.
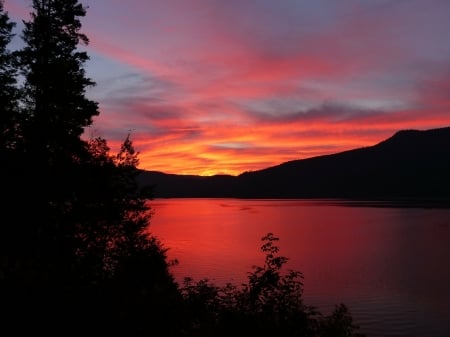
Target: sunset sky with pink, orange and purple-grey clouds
{"x": 210, "y": 87}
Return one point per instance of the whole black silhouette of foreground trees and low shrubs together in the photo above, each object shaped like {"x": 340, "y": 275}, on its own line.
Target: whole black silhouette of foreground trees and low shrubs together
{"x": 76, "y": 254}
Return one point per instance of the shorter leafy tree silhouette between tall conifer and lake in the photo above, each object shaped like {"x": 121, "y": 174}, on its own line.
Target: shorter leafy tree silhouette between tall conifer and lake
{"x": 125, "y": 267}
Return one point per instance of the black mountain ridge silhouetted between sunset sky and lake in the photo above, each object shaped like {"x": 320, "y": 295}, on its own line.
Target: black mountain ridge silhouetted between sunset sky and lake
{"x": 411, "y": 164}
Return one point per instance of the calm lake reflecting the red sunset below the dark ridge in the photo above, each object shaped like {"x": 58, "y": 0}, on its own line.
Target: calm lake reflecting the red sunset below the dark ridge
{"x": 389, "y": 265}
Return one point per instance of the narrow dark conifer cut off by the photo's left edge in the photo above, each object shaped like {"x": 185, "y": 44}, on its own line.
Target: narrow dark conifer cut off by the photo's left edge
{"x": 11, "y": 172}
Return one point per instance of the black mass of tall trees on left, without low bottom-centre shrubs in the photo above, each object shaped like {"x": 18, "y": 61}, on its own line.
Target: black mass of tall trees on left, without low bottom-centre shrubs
{"x": 80, "y": 253}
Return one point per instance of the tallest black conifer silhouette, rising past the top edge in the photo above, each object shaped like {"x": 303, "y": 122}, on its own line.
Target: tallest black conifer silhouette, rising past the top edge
{"x": 54, "y": 113}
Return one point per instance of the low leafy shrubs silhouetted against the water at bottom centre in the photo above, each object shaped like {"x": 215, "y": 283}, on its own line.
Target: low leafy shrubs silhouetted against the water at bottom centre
{"x": 269, "y": 304}
